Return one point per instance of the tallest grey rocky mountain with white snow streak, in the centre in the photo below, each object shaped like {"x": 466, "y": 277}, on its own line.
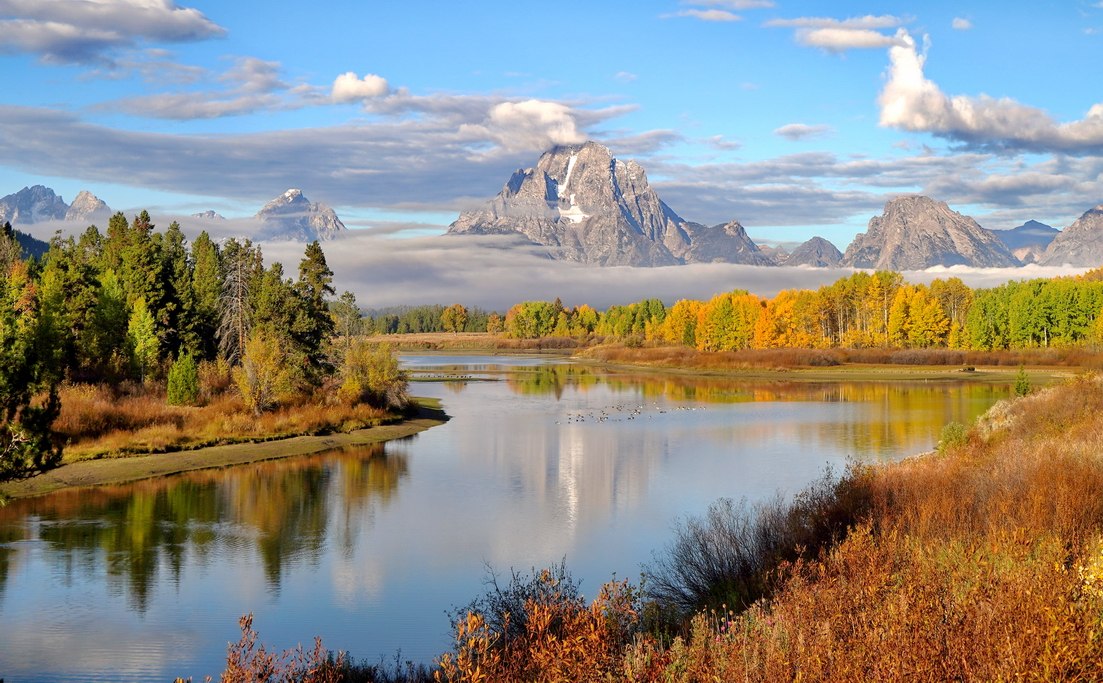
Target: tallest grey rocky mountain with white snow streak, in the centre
{"x": 588, "y": 207}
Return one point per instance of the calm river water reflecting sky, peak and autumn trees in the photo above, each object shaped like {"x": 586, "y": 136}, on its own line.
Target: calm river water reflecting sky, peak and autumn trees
{"x": 543, "y": 460}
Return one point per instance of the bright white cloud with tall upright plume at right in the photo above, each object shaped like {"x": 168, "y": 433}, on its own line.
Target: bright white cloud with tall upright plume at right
{"x": 912, "y": 102}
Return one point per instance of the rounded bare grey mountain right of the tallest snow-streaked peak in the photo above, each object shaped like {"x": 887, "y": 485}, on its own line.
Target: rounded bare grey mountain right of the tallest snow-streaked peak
{"x": 917, "y": 232}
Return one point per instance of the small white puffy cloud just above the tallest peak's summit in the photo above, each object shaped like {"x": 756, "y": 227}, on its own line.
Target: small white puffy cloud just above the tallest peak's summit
{"x": 532, "y": 124}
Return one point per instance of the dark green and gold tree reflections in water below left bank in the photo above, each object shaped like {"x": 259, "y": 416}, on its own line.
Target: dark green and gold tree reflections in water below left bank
{"x": 135, "y": 533}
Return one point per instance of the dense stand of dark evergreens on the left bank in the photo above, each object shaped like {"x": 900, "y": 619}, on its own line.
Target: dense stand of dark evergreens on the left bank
{"x": 144, "y": 307}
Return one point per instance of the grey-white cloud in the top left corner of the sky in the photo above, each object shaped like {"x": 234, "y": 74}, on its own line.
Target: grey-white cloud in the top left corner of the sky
{"x": 79, "y": 31}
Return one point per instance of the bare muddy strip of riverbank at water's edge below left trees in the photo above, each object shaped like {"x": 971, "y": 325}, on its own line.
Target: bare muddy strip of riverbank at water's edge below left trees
{"x": 138, "y": 467}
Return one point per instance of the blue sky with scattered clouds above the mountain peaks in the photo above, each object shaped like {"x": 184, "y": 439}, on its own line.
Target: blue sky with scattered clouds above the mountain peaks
{"x": 796, "y": 119}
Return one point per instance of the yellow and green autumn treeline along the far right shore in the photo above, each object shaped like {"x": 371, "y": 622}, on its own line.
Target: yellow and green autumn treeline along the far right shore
{"x": 860, "y": 312}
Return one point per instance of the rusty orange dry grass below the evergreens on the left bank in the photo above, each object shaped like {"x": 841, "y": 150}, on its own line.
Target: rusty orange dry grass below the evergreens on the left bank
{"x": 99, "y": 422}
